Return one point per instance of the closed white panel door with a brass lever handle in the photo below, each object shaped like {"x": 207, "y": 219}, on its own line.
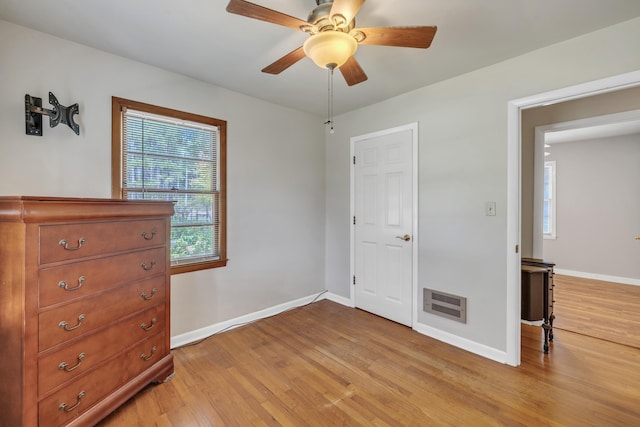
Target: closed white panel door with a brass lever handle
{"x": 383, "y": 230}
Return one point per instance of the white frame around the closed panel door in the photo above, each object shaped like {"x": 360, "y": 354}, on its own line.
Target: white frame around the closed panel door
{"x": 413, "y": 127}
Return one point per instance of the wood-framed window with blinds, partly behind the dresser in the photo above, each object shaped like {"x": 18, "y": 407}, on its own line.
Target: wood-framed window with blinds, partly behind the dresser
{"x": 164, "y": 154}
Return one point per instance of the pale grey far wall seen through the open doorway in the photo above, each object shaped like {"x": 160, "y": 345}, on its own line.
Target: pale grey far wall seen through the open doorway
{"x": 598, "y": 207}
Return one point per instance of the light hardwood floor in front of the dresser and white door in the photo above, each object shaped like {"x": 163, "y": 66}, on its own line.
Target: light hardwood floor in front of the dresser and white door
{"x": 328, "y": 365}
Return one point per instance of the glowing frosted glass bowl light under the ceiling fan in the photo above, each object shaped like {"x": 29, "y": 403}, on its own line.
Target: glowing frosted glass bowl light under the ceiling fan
{"x": 330, "y": 49}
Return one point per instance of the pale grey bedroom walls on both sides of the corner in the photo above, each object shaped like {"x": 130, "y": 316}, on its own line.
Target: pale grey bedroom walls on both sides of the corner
{"x": 282, "y": 228}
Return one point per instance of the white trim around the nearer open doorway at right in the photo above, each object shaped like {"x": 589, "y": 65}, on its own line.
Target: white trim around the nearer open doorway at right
{"x": 514, "y": 146}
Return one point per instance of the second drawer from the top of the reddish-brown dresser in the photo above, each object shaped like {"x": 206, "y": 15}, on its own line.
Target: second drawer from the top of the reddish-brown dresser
{"x": 65, "y": 282}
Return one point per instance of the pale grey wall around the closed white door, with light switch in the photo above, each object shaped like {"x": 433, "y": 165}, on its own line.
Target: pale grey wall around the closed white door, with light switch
{"x": 463, "y": 164}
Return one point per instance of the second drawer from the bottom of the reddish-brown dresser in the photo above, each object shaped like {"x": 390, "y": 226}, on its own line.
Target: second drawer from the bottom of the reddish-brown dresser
{"x": 56, "y": 368}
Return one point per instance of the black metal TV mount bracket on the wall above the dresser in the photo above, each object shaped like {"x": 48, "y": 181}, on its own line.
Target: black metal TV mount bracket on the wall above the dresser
{"x": 59, "y": 114}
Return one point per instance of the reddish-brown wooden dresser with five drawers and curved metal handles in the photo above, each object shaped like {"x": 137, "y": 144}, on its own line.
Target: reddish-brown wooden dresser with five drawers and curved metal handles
{"x": 84, "y": 306}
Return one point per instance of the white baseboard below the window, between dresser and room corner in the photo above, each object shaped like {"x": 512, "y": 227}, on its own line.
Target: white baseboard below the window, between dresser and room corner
{"x": 207, "y": 331}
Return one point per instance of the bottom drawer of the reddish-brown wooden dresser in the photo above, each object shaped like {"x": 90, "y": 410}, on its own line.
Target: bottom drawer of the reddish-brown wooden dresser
{"x": 83, "y": 392}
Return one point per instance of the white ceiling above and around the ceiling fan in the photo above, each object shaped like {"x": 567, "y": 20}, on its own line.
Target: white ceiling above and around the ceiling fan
{"x": 198, "y": 38}
